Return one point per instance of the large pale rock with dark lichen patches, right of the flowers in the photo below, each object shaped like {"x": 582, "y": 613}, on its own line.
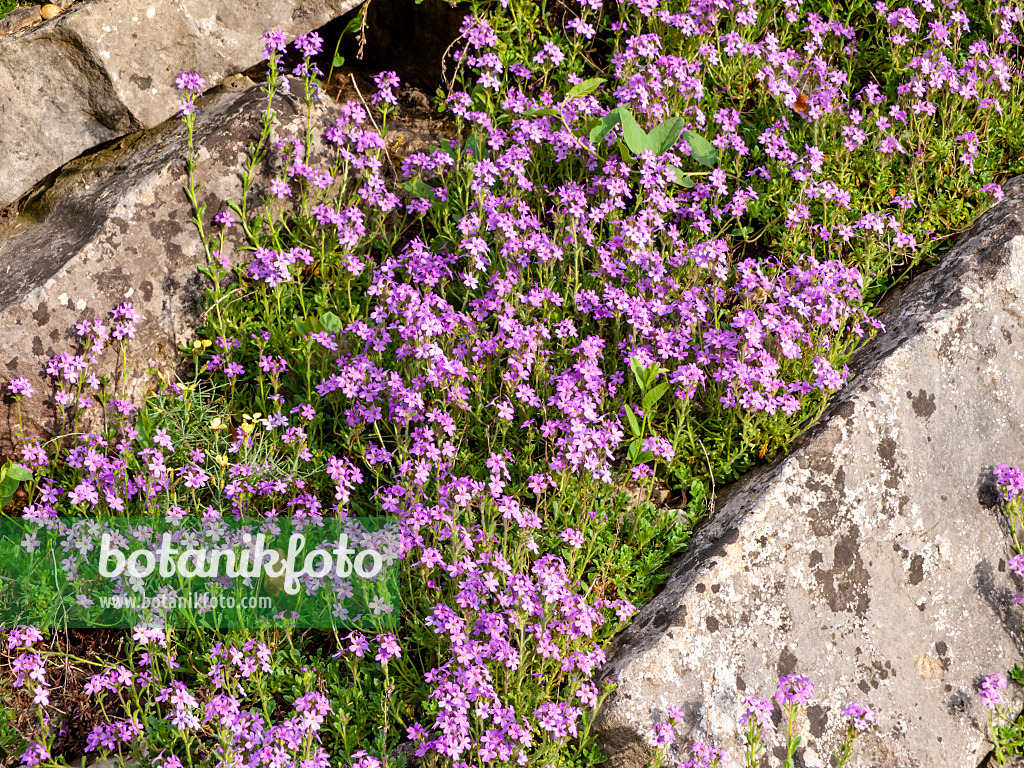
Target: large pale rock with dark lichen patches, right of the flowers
{"x": 873, "y": 559}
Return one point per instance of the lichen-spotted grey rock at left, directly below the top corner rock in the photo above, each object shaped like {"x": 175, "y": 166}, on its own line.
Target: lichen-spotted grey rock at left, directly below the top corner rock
{"x": 115, "y": 227}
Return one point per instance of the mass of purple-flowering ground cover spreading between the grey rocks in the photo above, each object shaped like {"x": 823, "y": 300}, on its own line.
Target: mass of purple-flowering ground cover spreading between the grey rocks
{"x": 658, "y": 235}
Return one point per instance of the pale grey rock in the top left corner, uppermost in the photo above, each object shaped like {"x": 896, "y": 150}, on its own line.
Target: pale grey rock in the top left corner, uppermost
{"x": 111, "y": 69}
